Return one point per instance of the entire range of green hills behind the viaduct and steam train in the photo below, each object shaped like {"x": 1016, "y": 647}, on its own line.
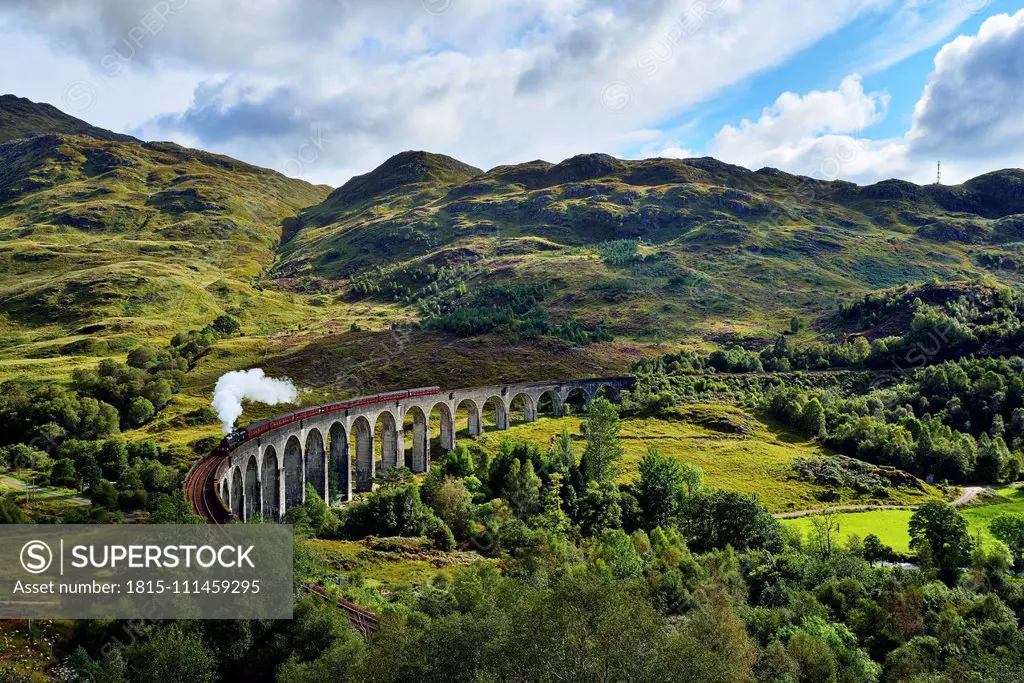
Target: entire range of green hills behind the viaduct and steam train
{"x": 430, "y": 271}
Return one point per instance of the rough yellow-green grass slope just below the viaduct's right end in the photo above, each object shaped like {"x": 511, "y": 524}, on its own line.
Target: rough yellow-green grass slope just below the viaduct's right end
{"x": 737, "y": 451}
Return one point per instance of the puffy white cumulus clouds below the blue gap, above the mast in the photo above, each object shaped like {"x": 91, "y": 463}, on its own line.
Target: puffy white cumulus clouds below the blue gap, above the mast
{"x": 969, "y": 117}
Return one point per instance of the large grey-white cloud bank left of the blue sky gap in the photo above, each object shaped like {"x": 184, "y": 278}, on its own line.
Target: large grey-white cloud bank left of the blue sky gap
{"x": 489, "y": 81}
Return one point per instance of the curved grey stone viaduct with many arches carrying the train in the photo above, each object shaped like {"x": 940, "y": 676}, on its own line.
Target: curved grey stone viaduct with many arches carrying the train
{"x": 269, "y": 475}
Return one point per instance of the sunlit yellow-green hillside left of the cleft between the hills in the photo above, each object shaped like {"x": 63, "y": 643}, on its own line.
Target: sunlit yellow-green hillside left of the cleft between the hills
{"x": 110, "y": 239}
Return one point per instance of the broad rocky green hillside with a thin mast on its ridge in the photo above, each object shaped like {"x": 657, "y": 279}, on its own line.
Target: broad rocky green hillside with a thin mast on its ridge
{"x": 647, "y": 250}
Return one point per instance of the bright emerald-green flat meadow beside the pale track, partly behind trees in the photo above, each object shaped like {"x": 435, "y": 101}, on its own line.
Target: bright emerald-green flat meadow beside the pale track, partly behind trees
{"x": 891, "y": 526}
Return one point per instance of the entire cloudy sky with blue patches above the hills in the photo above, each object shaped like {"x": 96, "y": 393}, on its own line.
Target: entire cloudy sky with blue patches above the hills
{"x": 325, "y": 90}
